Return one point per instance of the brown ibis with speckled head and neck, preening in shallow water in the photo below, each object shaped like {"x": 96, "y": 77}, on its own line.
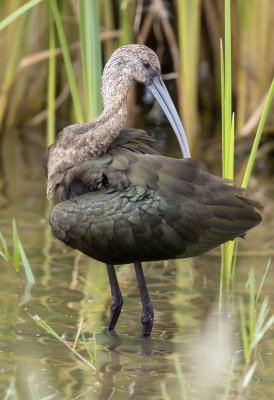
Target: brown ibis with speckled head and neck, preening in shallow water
{"x": 119, "y": 201}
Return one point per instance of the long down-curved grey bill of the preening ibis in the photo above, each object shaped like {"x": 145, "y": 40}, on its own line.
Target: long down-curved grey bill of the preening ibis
{"x": 159, "y": 91}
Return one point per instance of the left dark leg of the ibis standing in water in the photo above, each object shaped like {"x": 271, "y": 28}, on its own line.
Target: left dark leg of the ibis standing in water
{"x": 117, "y": 299}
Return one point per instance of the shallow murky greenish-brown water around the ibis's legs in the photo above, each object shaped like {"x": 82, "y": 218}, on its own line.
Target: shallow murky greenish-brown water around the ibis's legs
{"x": 70, "y": 287}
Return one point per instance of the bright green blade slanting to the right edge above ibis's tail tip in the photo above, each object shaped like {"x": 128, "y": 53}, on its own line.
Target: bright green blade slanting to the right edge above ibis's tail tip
{"x": 258, "y": 136}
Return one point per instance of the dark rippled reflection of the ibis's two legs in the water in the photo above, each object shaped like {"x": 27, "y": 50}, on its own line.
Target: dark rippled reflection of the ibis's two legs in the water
{"x": 108, "y": 381}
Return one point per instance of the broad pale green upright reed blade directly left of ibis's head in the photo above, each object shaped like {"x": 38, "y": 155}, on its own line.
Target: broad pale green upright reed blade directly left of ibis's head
{"x": 91, "y": 56}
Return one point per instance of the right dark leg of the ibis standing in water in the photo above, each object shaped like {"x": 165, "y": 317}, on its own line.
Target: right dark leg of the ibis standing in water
{"x": 148, "y": 313}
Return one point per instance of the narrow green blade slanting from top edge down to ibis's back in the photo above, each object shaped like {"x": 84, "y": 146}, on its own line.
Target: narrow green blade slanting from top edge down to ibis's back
{"x": 67, "y": 60}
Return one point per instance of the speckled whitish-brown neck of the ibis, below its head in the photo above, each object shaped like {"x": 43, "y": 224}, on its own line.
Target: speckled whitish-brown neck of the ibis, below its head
{"x": 106, "y": 127}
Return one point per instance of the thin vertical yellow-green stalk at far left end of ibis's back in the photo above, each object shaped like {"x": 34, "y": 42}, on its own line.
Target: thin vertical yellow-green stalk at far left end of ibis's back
{"x": 51, "y": 85}
